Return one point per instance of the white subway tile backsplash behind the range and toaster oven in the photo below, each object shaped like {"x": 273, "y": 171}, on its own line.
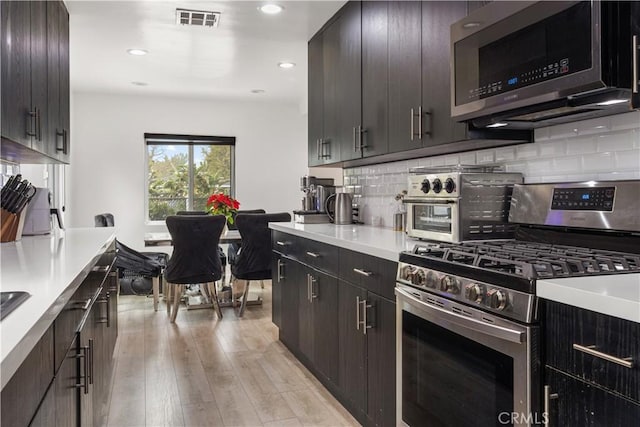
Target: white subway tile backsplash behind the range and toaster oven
{"x": 605, "y": 148}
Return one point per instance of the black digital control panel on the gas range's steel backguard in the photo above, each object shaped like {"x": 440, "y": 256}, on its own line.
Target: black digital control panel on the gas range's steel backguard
{"x": 583, "y": 199}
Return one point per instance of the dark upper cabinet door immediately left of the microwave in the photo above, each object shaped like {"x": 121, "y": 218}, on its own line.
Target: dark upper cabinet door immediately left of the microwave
{"x": 437, "y": 17}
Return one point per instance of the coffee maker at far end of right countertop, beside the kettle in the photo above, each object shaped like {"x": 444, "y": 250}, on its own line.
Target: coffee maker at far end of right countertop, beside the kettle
{"x": 316, "y": 191}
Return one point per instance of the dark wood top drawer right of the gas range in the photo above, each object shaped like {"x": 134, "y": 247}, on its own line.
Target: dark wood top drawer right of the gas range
{"x": 573, "y": 335}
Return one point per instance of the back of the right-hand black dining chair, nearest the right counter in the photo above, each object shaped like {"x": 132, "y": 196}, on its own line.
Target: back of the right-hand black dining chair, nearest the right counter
{"x": 254, "y": 260}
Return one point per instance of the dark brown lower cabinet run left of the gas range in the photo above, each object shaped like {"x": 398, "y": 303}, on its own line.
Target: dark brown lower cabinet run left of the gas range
{"x": 341, "y": 326}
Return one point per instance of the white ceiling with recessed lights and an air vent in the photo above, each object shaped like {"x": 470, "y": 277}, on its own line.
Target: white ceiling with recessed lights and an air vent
{"x": 226, "y": 62}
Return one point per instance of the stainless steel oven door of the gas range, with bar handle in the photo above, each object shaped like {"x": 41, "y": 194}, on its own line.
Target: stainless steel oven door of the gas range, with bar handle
{"x": 454, "y": 368}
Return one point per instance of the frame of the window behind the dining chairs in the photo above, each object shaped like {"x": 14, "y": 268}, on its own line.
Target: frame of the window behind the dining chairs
{"x": 191, "y": 141}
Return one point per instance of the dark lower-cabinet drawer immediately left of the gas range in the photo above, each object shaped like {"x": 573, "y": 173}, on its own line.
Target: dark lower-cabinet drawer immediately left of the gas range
{"x": 374, "y": 274}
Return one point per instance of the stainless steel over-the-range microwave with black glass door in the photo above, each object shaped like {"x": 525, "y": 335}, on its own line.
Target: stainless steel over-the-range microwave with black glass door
{"x": 526, "y": 64}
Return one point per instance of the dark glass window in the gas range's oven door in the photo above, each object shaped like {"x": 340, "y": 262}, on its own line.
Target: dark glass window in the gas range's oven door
{"x": 449, "y": 380}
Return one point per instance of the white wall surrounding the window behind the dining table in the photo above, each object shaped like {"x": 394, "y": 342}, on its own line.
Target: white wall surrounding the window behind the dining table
{"x": 107, "y": 172}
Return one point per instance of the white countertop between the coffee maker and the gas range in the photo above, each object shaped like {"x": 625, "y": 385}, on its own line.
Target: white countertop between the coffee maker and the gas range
{"x": 375, "y": 241}
